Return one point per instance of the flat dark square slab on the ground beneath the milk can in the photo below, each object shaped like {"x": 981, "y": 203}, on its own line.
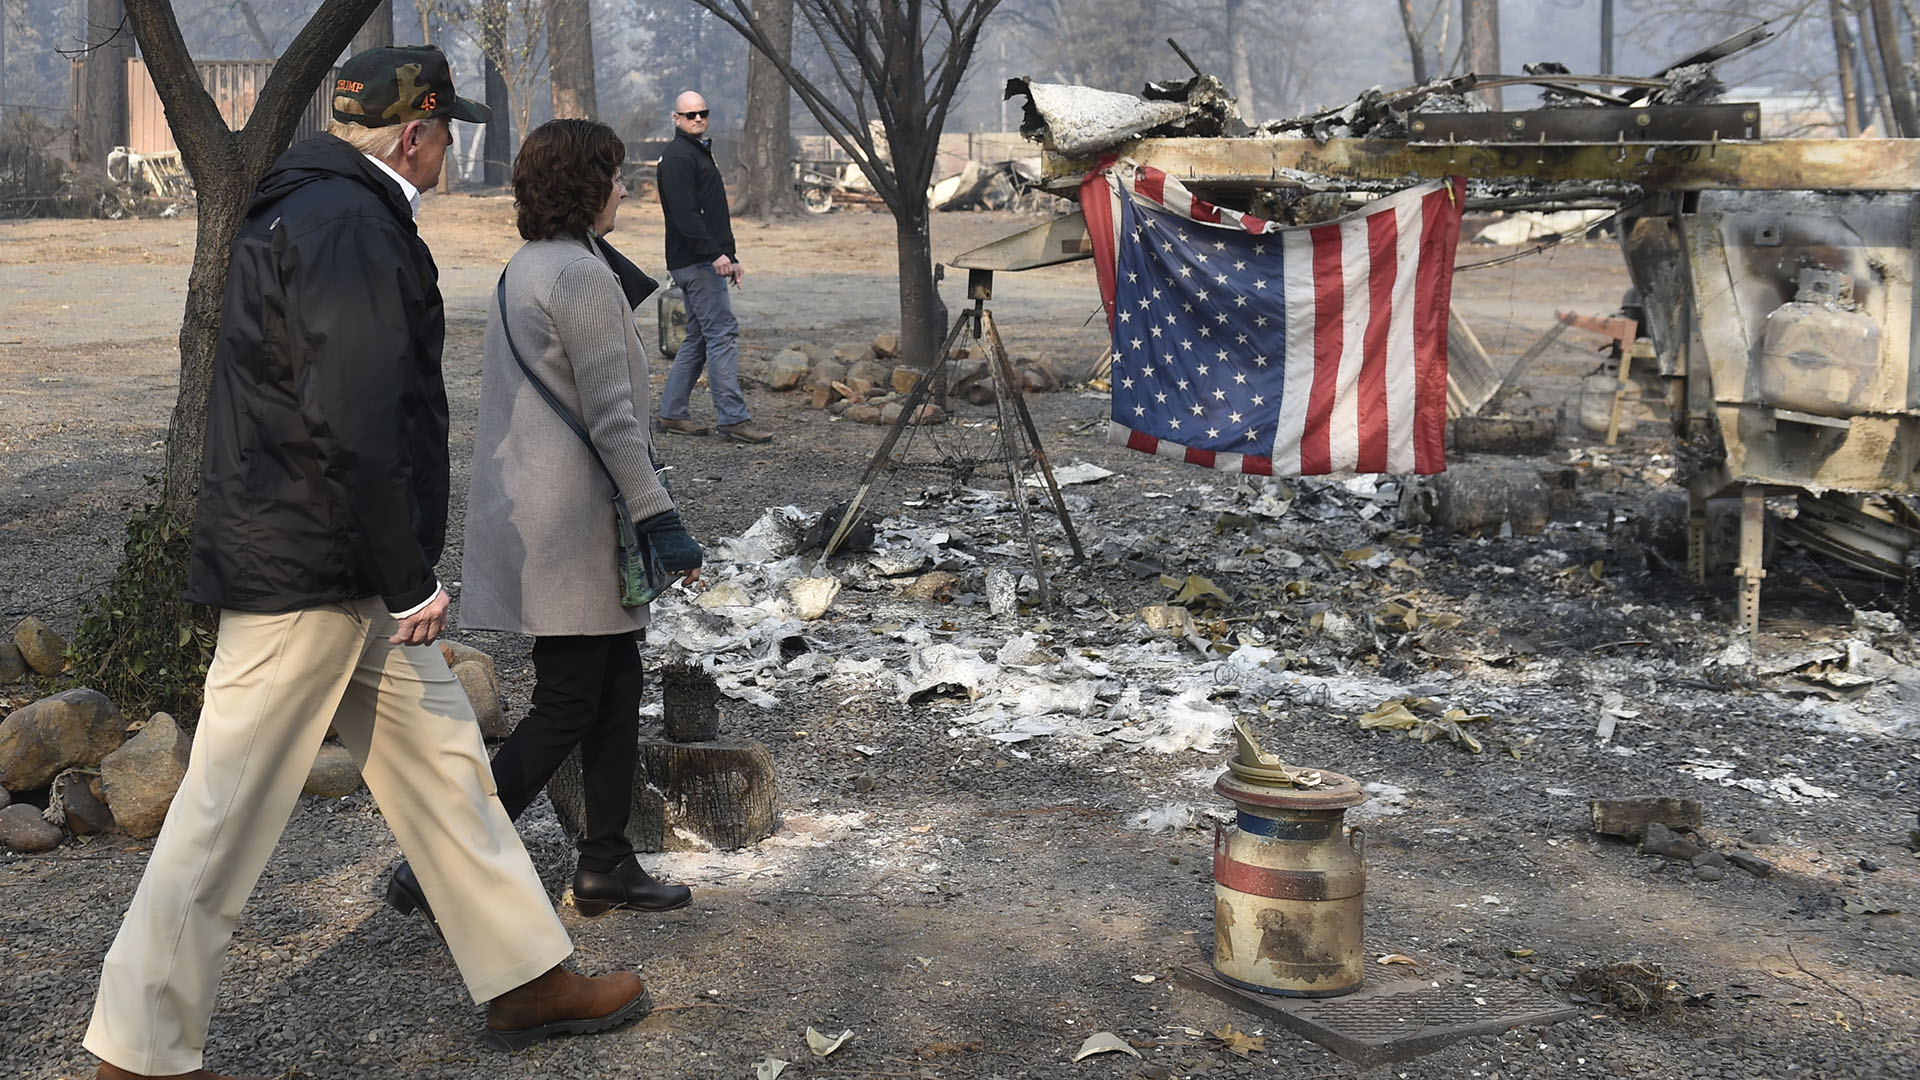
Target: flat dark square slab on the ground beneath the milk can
{"x": 1393, "y": 1019}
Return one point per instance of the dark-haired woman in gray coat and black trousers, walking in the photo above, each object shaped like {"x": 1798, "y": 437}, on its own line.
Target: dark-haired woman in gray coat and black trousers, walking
{"x": 542, "y": 554}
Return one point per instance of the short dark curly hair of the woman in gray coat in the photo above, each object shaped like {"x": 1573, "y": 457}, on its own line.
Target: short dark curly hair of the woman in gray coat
{"x": 564, "y": 178}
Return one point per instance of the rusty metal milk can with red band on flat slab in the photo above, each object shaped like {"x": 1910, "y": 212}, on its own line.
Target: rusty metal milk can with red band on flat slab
{"x": 1289, "y": 879}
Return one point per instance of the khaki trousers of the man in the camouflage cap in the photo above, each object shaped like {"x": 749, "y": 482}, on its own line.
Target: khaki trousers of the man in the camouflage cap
{"x": 276, "y": 685}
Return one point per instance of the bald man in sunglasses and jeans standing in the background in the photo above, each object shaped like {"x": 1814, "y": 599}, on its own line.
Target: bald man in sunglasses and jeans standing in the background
{"x": 700, "y": 257}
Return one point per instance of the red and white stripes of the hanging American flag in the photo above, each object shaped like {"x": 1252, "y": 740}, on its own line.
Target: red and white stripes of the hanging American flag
{"x": 1366, "y": 326}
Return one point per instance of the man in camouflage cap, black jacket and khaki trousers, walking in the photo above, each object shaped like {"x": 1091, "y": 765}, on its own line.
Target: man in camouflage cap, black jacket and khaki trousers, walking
{"x": 324, "y": 503}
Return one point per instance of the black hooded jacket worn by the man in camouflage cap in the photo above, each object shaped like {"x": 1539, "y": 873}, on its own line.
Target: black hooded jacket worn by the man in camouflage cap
{"x": 325, "y": 472}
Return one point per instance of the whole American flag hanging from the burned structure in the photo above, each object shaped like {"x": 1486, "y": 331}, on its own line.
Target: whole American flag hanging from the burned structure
{"x": 1266, "y": 351}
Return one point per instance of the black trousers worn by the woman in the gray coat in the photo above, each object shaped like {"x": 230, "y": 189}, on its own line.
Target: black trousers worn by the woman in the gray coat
{"x": 587, "y": 693}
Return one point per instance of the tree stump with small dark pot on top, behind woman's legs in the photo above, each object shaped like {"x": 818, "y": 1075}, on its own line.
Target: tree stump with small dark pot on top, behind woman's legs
{"x": 688, "y": 793}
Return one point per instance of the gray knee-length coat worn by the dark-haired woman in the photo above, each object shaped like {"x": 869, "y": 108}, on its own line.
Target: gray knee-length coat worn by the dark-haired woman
{"x": 540, "y": 526}
